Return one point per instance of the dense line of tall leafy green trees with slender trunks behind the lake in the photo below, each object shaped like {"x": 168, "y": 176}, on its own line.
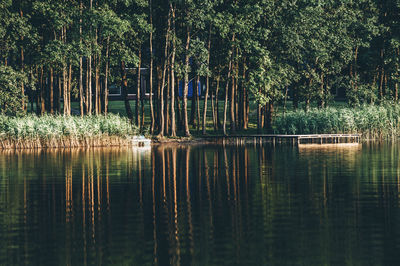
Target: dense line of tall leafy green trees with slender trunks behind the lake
{"x": 53, "y": 52}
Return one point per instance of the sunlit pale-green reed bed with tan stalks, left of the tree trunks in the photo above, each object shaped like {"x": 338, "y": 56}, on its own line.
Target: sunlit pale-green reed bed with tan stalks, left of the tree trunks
{"x": 58, "y": 131}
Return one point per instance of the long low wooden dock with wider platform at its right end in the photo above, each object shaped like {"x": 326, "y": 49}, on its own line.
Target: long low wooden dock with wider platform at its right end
{"x": 292, "y": 139}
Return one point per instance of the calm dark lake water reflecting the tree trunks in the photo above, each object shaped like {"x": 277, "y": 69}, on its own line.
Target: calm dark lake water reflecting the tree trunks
{"x": 201, "y": 205}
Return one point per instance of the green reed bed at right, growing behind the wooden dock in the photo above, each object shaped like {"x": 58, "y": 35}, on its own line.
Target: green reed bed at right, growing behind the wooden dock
{"x": 371, "y": 121}
